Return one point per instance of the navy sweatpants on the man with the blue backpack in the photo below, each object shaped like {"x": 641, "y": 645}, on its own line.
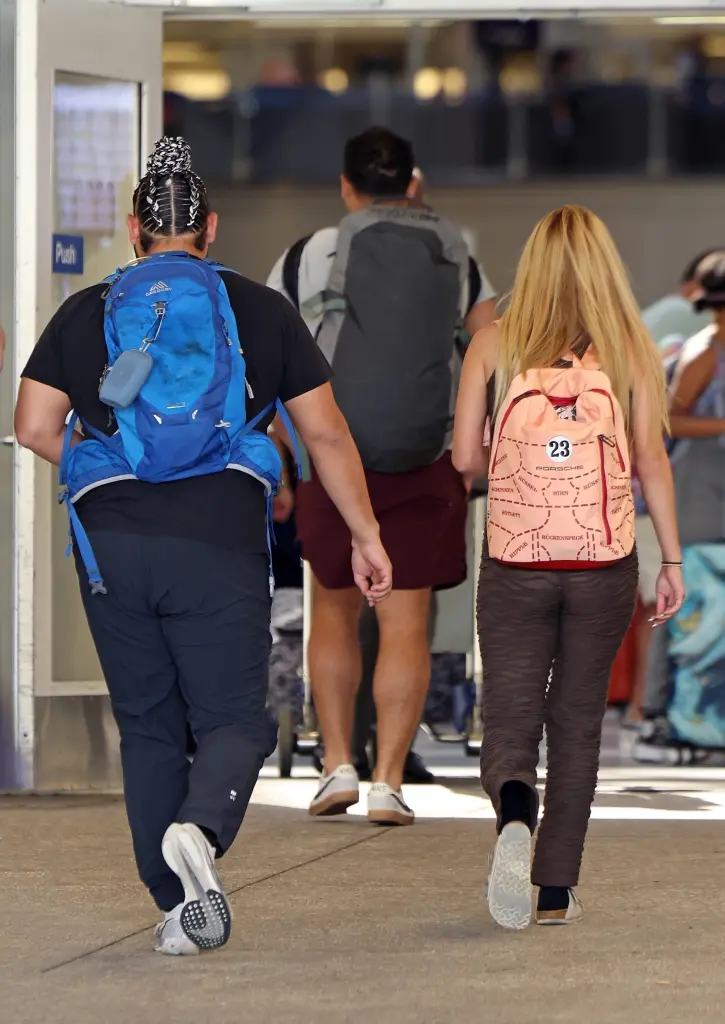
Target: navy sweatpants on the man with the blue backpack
{"x": 184, "y": 638}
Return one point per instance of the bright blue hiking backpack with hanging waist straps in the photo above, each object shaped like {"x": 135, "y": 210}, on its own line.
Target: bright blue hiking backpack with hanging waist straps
{"x": 190, "y": 417}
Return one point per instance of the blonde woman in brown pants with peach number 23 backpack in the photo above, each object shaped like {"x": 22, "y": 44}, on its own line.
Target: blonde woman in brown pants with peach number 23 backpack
{"x": 549, "y": 630}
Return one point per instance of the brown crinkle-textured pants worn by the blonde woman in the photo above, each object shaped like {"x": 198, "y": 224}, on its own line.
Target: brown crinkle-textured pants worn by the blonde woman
{"x": 530, "y": 623}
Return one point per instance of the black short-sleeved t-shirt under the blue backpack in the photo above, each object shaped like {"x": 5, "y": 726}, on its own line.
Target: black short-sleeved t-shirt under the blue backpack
{"x": 229, "y": 508}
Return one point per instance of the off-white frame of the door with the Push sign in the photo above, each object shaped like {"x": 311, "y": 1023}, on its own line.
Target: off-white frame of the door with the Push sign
{"x": 81, "y": 37}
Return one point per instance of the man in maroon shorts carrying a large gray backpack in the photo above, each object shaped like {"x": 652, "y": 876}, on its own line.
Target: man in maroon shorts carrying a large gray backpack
{"x": 393, "y": 286}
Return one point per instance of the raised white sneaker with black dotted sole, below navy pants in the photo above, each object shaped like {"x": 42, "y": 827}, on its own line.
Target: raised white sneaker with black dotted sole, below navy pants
{"x": 206, "y": 916}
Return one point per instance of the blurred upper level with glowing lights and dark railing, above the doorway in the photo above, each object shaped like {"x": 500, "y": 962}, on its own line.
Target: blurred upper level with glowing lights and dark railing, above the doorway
{"x": 273, "y": 103}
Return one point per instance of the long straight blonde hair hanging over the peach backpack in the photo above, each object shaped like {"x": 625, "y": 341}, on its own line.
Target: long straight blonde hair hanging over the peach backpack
{"x": 571, "y": 284}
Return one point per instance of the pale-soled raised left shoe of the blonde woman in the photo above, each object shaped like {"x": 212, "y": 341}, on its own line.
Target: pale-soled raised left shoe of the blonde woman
{"x": 510, "y": 880}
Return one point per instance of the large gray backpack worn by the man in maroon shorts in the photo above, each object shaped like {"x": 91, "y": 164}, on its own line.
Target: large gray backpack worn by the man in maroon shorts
{"x": 392, "y": 316}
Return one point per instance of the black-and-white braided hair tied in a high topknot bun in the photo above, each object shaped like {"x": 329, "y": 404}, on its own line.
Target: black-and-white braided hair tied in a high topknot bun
{"x": 172, "y": 199}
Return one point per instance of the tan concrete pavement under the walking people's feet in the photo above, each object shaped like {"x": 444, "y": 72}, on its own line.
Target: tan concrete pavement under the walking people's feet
{"x": 337, "y": 923}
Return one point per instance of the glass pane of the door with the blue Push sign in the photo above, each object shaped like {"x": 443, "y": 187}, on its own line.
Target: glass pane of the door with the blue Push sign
{"x": 97, "y": 159}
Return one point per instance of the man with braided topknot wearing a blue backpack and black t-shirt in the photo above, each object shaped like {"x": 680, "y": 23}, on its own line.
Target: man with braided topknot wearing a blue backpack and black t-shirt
{"x": 177, "y": 550}
